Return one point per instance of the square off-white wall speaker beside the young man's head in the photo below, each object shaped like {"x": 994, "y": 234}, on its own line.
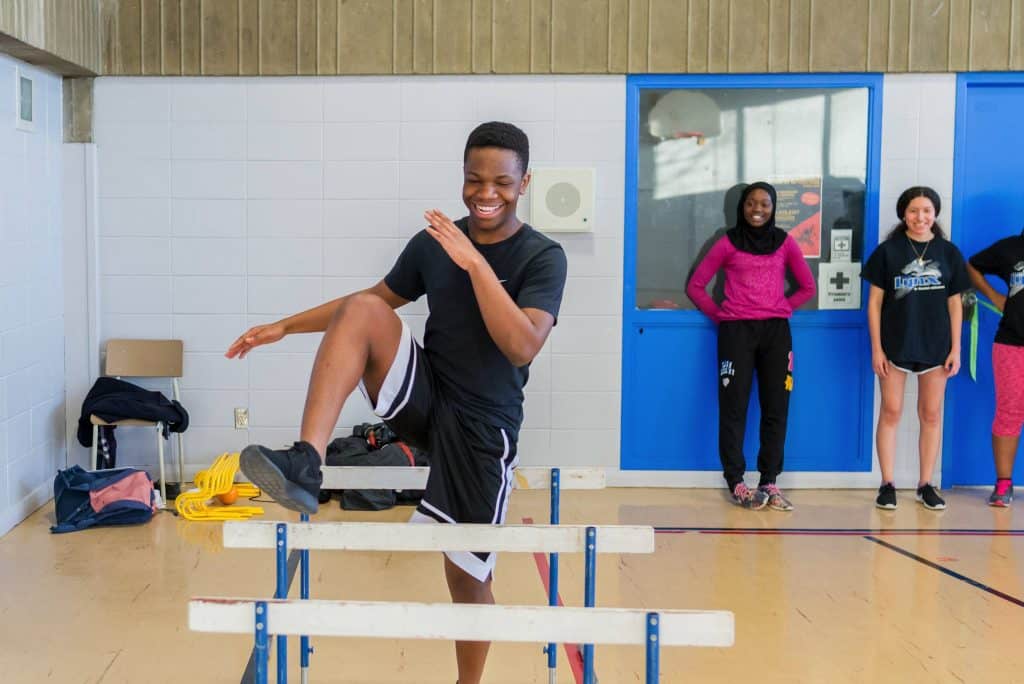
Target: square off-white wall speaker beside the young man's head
{"x": 563, "y": 200}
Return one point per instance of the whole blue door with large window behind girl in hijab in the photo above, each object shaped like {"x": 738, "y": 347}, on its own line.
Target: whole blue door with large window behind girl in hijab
{"x": 670, "y": 364}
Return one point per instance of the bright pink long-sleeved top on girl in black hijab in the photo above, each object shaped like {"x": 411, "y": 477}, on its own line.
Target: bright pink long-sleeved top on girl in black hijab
{"x": 755, "y": 284}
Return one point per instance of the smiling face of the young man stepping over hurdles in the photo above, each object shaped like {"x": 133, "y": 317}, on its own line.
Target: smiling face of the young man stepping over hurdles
{"x": 493, "y": 182}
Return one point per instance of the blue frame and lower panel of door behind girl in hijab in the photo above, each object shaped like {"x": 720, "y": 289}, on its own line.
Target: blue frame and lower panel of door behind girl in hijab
{"x": 810, "y": 325}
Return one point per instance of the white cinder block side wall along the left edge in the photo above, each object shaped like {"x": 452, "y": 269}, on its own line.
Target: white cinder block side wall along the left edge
{"x": 32, "y": 407}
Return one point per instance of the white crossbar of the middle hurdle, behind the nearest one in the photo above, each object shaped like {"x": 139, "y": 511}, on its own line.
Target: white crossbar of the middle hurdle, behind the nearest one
{"x": 406, "y": 537}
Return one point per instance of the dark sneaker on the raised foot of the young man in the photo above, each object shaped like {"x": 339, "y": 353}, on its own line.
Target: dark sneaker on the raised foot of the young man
{"x": 292, "y": 478}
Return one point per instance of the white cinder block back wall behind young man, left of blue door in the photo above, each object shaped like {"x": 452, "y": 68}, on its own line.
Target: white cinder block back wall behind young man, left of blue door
{"x": 226, "y": 203}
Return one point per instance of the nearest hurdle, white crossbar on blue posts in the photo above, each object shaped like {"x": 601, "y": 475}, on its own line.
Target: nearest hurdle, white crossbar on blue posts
{"x": 461, "y": 622}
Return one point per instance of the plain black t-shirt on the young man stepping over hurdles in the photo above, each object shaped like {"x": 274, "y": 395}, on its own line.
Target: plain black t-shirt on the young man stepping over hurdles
{"x": 475, "y": 373}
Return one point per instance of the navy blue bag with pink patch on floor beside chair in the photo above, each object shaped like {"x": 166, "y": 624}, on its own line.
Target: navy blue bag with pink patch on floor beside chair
{"x": 88, "y": 499}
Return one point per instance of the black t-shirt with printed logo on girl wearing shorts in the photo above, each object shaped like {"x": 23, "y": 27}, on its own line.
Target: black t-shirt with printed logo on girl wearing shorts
{"x": 918, "y": 280}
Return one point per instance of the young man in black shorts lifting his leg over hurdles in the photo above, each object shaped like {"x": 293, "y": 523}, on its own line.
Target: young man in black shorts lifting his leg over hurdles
{"x": 494, "y": 286}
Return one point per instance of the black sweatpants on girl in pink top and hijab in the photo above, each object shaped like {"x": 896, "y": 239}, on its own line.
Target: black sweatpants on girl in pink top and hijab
{"x": 746, "y": 348}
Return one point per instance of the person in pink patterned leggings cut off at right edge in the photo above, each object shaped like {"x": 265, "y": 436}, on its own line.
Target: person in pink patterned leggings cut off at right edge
{"x": 1005, "y": 260}
